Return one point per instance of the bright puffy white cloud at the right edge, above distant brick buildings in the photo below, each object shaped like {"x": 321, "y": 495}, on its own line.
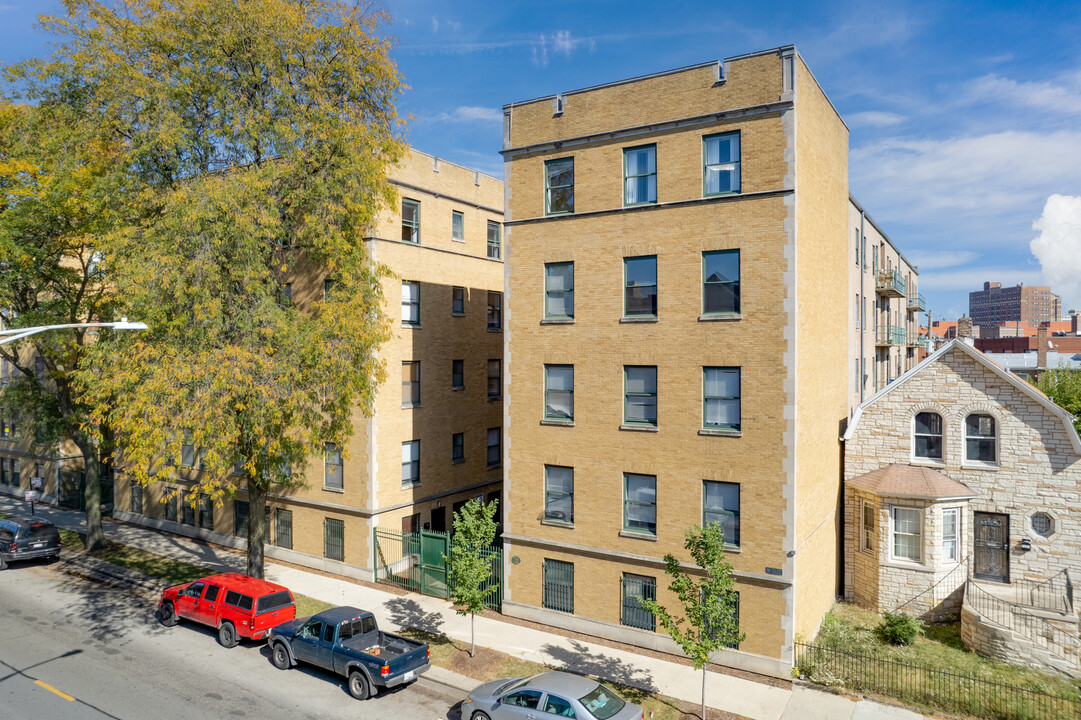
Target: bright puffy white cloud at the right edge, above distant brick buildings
{"x": 1059, "y": 247}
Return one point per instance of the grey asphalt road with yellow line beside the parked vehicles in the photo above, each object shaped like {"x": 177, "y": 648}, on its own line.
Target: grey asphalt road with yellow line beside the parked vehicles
{"x": 74, "y": 650}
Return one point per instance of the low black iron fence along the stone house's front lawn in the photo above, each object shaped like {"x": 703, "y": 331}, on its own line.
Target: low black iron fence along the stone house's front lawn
{"x": 931, "y": 689}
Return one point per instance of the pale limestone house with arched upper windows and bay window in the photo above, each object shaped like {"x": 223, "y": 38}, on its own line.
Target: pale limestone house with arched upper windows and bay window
{"x": 963, "y": 495}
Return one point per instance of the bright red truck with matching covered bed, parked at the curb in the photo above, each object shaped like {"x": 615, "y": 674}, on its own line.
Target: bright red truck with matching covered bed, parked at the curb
{"x": 238, "y": 606}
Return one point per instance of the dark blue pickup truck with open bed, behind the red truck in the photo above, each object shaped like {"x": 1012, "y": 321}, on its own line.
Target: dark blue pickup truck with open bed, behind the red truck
{"x": 349, "y": 643}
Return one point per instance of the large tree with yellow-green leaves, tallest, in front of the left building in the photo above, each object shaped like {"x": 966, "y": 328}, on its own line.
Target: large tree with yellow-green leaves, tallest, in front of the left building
{"x": 258, "y": 135}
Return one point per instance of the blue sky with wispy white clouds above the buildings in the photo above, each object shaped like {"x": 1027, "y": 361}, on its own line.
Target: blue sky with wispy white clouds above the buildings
{"x": 965, "y": 118}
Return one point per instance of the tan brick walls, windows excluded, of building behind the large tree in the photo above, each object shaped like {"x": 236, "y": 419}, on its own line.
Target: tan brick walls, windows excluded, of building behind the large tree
{"x": 372, "y": 492}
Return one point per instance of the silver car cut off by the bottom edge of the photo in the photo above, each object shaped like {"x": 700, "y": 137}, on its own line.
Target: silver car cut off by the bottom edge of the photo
{"x": 548, "y": 697}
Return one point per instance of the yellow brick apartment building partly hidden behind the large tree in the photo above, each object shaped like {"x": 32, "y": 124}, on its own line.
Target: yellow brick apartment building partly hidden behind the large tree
{"x": 436, "y": 438}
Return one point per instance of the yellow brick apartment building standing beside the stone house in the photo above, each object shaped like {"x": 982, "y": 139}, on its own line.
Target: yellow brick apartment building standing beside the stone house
{"x": 677, "y": 346}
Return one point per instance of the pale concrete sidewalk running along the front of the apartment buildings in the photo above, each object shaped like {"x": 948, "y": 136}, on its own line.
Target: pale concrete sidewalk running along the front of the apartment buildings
{"x": 745, "y": 698}
